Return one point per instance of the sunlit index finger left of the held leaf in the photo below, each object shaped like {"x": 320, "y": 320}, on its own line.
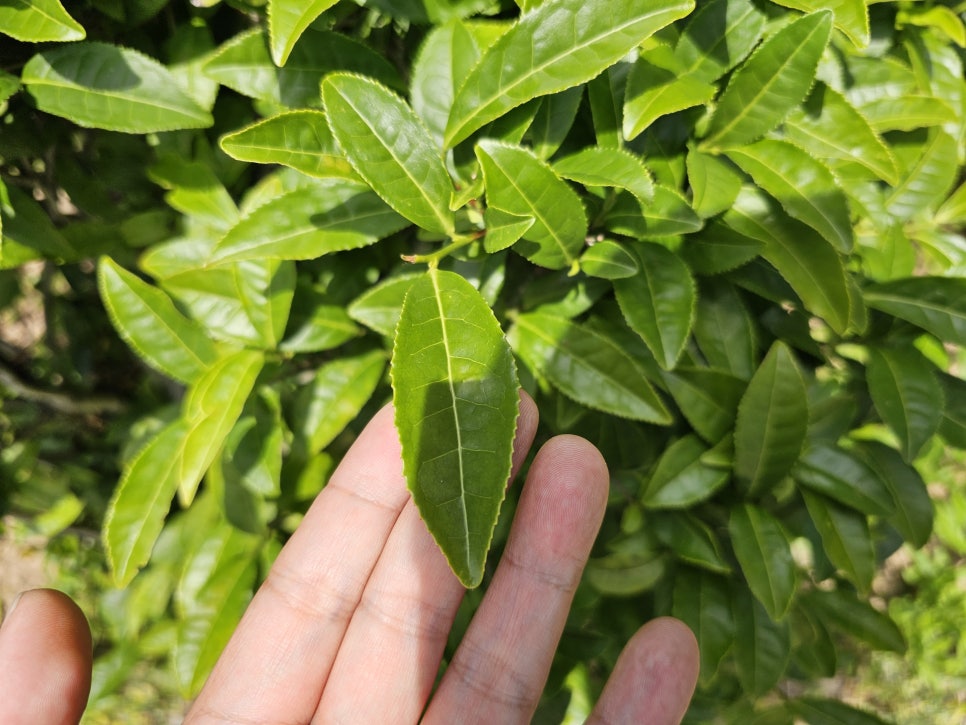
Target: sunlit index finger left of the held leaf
{"x": 278, "y": 659}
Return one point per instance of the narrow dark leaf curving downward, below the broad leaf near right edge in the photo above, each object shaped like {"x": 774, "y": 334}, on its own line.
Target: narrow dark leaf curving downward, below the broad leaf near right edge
{"x": 914, "y": 509}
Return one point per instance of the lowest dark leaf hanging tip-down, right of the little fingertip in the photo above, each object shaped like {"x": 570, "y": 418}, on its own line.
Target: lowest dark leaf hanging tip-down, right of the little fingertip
{"x": 762, "y": 645}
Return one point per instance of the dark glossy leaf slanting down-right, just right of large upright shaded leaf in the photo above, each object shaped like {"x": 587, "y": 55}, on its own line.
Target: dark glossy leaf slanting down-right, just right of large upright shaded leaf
{"x": 842, "y": 476}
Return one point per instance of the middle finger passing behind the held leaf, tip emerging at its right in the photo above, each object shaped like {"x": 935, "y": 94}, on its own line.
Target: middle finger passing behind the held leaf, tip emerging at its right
{"x": 396, "y": 637}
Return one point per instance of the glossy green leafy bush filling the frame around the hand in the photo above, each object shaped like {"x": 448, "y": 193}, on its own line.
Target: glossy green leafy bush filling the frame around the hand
{"x": 723, "y": 241}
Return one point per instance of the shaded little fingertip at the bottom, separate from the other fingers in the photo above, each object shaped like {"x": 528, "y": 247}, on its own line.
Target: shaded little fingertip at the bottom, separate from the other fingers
{"x": 654, "y": 677}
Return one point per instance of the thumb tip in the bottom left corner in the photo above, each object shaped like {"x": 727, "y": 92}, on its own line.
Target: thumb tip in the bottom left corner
{"x": 46, "y": 658}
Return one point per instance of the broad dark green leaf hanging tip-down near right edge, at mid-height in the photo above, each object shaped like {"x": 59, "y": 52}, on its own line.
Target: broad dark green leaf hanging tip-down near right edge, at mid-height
{"x": 906, "y": 394}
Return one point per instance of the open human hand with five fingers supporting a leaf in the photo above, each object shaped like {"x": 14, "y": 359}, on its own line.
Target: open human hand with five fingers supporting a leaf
{"x": 351, "y": 622}
